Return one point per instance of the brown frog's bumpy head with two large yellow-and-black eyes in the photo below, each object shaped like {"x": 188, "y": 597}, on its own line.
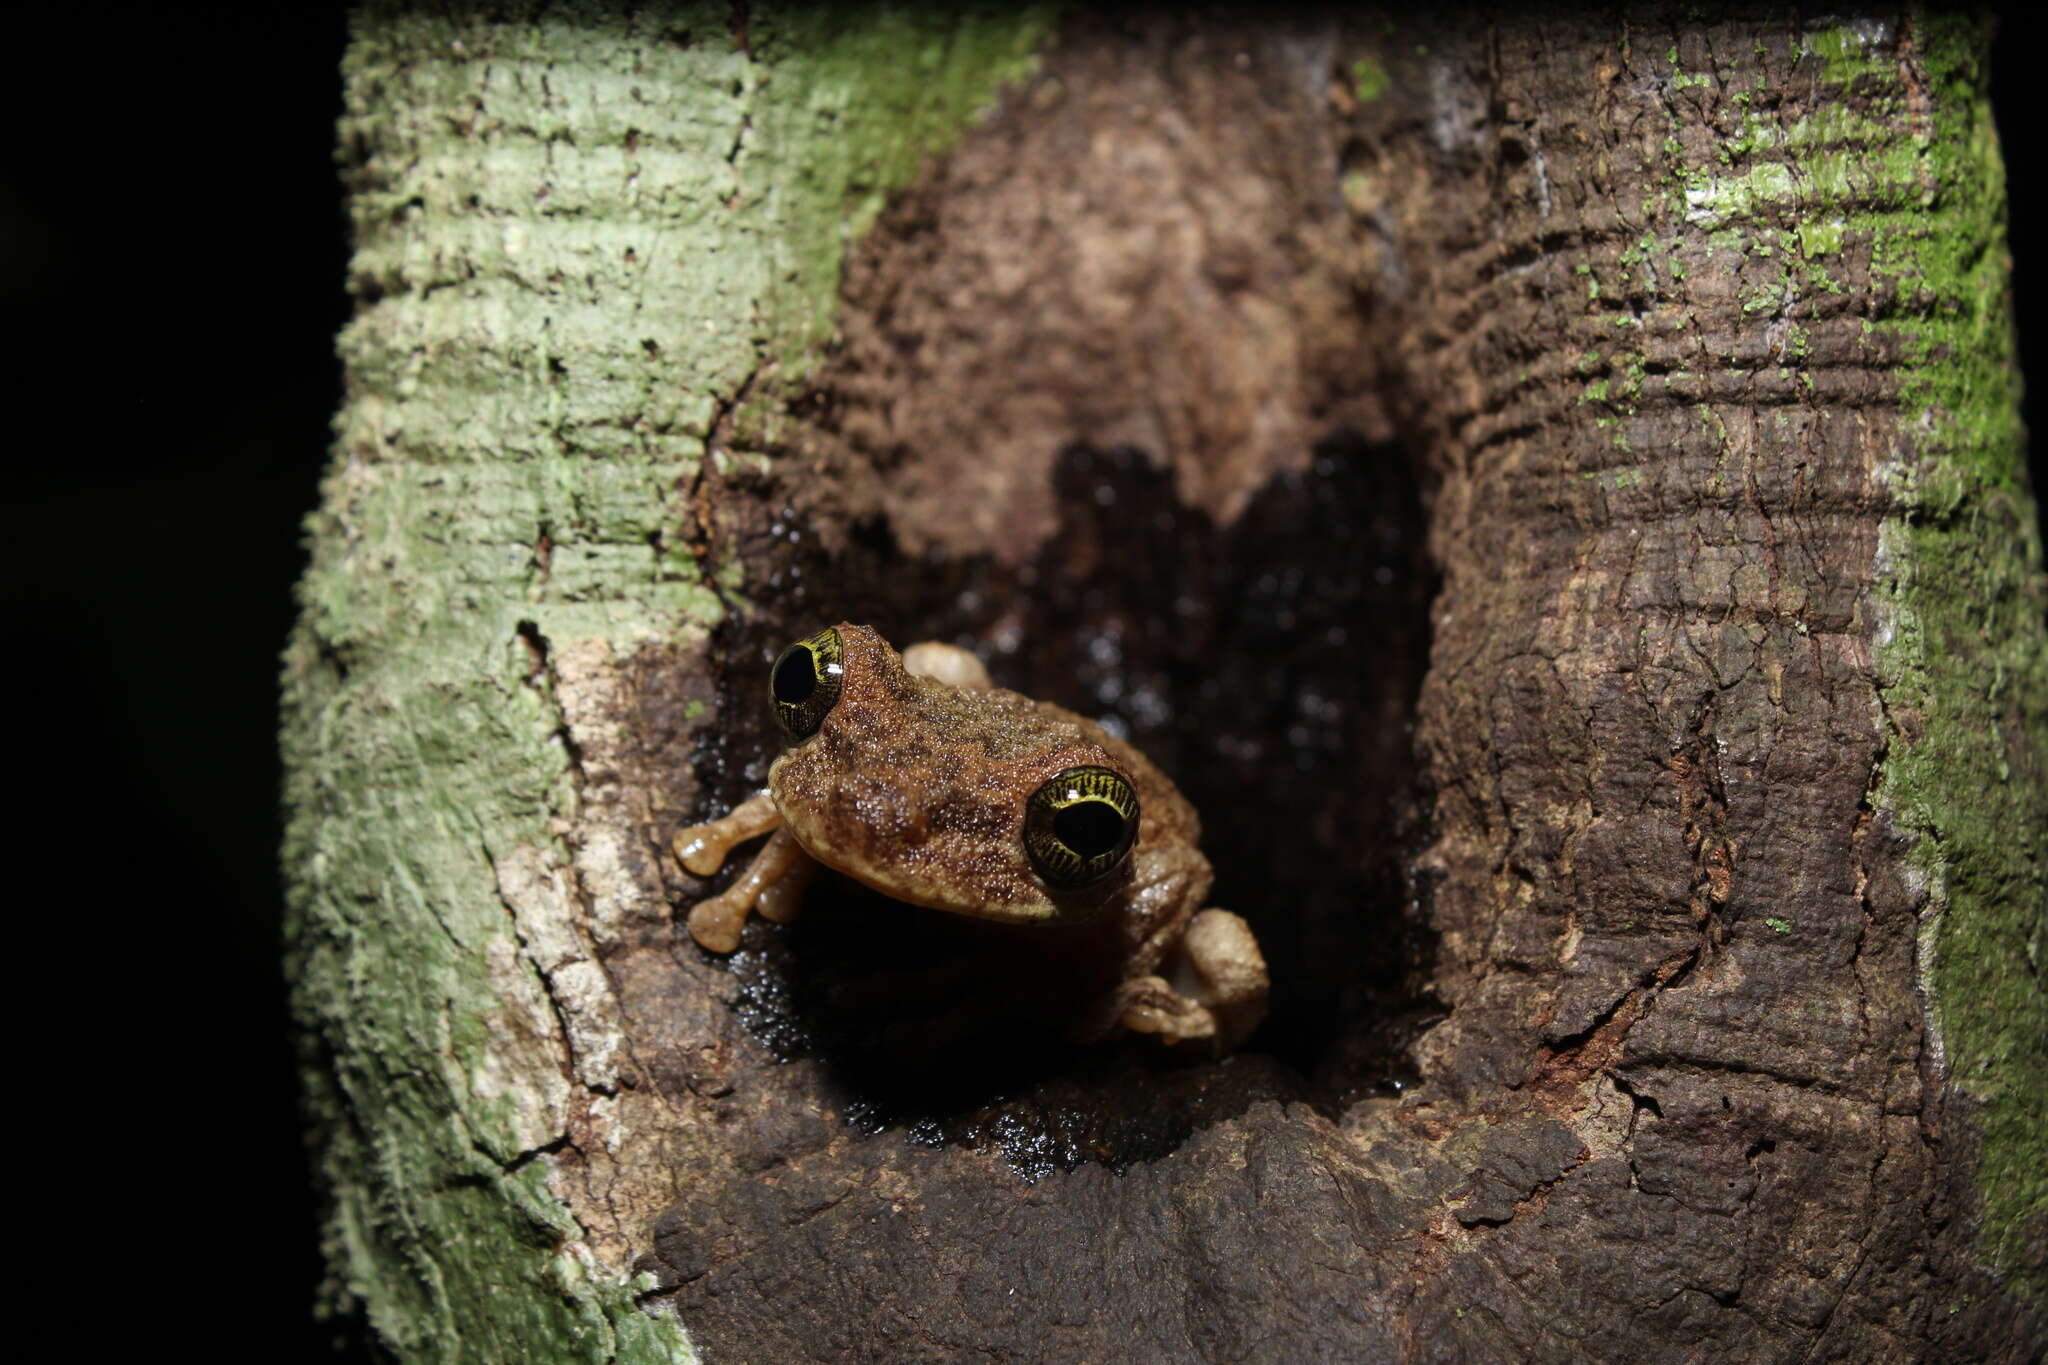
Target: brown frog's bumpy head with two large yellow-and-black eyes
{"x": 968, "y": 801}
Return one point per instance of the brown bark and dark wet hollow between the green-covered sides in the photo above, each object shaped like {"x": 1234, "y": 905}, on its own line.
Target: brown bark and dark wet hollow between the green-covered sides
{"x": 1488, "y": 545}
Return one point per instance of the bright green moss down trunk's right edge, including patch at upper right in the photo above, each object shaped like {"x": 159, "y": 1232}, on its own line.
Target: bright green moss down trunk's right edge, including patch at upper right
{"x": 1904, "y": 173}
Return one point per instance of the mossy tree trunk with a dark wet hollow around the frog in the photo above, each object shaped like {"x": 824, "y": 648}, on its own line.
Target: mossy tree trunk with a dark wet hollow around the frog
{"x": 1551, "y": 492}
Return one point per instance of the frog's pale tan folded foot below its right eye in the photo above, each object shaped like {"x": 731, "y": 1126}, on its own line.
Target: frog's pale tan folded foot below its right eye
{"x": 1213, "y": 987}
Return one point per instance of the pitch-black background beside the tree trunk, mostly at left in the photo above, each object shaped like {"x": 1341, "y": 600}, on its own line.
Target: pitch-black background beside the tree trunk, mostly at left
{"x": 171, "y": 265}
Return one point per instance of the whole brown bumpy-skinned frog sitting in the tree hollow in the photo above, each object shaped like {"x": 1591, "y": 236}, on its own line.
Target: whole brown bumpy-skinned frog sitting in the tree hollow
{"x": 919, "y": 779}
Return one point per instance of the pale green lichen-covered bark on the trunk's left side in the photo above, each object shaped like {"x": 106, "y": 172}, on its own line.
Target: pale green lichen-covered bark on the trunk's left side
{"x": 579, "y": 236}
